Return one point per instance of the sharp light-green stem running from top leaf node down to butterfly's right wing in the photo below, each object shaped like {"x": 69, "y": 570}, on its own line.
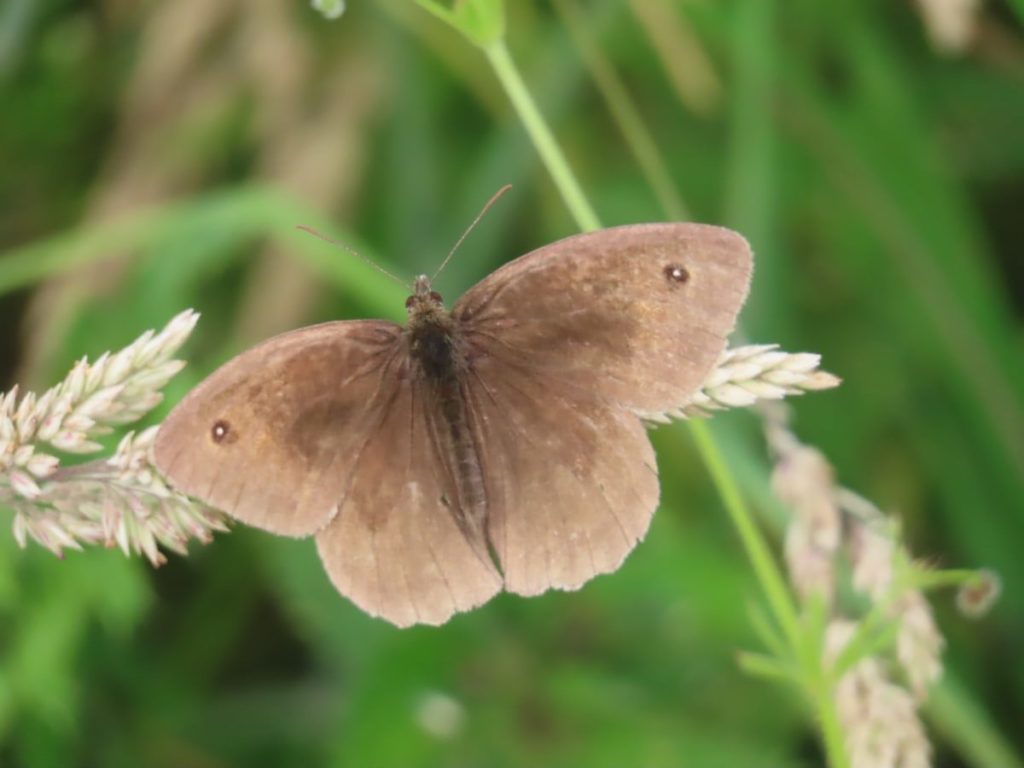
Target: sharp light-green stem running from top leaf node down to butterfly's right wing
{"x": 542, "y": 137}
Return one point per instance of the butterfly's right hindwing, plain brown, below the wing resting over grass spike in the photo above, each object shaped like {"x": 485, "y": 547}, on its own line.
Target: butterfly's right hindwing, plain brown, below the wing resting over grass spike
{"x": 571, "y": 483}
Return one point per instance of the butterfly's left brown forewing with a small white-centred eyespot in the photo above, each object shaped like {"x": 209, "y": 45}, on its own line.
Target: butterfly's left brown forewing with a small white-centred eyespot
{"x": 270, "y": 438}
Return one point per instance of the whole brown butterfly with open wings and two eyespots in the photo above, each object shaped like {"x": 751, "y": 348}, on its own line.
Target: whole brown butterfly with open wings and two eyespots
{"x": 499, "y": 445}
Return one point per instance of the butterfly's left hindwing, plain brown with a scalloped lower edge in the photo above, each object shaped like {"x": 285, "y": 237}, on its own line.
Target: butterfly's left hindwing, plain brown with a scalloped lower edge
{"x": 396, "y": 548}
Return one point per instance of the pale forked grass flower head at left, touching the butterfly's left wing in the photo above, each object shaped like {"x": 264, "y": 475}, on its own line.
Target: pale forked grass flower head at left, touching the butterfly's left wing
{"x": 120, "y": 501}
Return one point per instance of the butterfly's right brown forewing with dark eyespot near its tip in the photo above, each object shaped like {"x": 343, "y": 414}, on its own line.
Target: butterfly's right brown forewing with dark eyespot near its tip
{"x": 637, "y": 315}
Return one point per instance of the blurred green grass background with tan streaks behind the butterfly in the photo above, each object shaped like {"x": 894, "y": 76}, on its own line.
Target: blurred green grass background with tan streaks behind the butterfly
{"x": 158, "y": 156}
